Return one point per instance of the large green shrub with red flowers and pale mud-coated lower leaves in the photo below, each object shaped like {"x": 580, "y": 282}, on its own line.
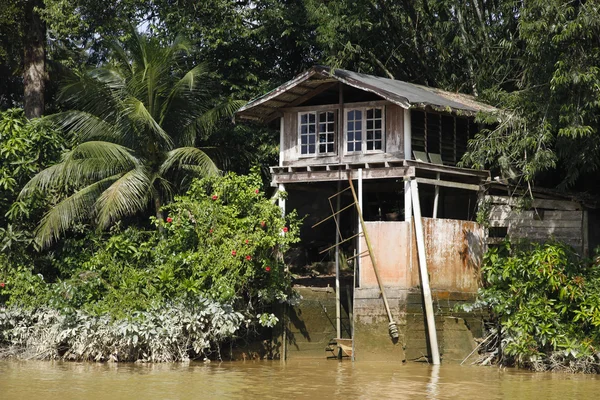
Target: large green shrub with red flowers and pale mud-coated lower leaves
{"x": 221, "y": 242}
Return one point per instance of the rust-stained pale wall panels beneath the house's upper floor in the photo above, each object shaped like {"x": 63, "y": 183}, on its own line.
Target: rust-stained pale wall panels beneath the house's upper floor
{"x": 454, "y": 250}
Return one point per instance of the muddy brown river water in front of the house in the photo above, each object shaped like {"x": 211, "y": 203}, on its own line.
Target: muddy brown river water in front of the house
{"x": 326, "y": 379}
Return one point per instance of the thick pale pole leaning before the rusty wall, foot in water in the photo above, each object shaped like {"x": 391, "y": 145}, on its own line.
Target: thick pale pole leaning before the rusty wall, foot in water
{"x": 416, "y": 206}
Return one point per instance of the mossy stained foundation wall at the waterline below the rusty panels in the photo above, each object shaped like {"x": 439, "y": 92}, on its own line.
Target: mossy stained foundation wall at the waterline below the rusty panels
{"x": 312, "y": 325}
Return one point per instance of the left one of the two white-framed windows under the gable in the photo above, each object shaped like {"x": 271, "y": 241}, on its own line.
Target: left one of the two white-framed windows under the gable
{"x": 316, "y": 133}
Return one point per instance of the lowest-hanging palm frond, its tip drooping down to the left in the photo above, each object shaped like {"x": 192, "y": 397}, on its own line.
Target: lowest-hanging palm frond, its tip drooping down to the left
{"x": 75, "y": 208}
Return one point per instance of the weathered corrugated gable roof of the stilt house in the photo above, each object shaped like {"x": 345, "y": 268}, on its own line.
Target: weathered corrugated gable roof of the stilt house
{"x": 404, "y": 94}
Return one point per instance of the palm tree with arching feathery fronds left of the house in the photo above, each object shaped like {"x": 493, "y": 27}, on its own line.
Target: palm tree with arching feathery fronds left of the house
{"x": 135, "y": 122}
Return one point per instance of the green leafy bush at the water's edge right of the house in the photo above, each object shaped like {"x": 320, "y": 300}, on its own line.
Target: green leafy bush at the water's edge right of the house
{"x": 546, "y": 301}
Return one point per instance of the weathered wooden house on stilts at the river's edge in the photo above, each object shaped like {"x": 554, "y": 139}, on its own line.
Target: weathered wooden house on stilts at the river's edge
{"x": 418, "y": 251}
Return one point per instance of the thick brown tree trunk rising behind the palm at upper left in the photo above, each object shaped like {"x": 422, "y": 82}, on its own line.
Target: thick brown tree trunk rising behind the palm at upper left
{"x": 34, "y": 60}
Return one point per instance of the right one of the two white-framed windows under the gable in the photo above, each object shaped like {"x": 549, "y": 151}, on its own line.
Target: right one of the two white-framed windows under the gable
{"x": 365, "y": 130}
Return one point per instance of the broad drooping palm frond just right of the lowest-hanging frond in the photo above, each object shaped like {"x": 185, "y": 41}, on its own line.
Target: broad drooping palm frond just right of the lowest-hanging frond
{"x": 126, "y": 196}
